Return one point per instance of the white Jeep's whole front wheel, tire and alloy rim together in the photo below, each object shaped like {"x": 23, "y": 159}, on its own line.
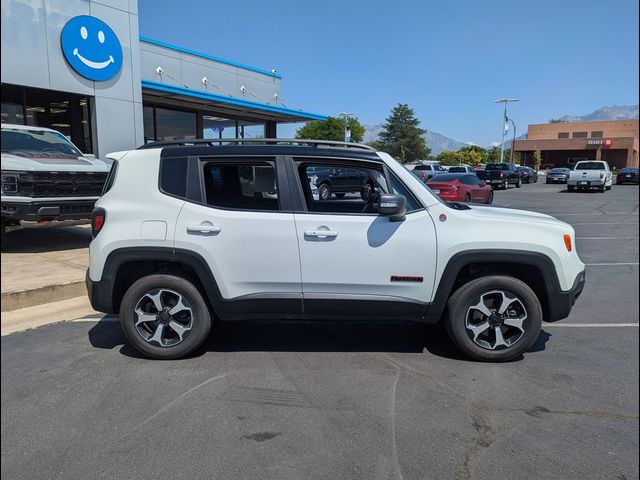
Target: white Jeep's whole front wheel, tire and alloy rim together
{"x": 494, "y": 318}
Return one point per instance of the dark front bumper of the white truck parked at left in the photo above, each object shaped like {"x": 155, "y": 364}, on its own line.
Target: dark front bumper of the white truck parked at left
{"x": 48, "y": 210}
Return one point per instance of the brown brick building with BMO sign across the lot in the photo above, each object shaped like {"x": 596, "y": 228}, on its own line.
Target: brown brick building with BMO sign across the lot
{"x": 563, "y": 144}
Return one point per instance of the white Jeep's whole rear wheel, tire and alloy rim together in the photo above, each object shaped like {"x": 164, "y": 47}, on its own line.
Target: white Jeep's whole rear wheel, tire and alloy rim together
{"x": 164, "y": 316}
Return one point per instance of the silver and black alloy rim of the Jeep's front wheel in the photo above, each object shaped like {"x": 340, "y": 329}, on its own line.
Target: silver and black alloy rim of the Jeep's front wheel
{"x": 496, "y": 320}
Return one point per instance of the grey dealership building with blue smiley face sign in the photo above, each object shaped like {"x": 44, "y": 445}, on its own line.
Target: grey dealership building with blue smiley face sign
{"x": 81, "y": 67}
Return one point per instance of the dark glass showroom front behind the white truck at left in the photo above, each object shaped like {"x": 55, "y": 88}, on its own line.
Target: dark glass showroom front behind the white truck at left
{"x": 66, "y": 112}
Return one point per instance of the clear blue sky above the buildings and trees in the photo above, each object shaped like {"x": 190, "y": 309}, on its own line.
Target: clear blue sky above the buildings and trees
{"x": 448, "y": 59}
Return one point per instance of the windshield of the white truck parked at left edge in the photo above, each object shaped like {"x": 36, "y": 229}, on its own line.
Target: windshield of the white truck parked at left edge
{"x": 37, "y": 143}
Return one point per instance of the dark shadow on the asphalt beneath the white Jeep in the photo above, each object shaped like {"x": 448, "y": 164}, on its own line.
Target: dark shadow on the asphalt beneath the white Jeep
{"x": 278, "y": 336}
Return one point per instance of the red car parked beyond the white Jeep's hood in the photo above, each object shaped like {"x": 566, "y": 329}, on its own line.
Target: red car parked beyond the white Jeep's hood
{"x": 461, "y": 187}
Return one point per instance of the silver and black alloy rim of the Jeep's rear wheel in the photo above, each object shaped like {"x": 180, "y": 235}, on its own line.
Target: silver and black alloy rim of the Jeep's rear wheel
{"x": 163, "y": 317}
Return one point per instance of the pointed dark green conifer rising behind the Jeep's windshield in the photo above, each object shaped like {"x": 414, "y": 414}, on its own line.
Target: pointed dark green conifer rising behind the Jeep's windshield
{"x": 401, "y": 137}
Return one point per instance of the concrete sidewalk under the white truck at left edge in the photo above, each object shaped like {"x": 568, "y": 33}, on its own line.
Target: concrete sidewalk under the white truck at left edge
{"x": 43, "y": 264}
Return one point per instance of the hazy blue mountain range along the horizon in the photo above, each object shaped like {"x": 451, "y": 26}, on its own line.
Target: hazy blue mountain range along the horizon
{"x": 440, "y": 143}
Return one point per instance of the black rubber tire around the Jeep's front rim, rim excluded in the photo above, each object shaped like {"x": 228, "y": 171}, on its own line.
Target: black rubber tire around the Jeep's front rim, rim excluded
{"x": 461, "y": 303}
